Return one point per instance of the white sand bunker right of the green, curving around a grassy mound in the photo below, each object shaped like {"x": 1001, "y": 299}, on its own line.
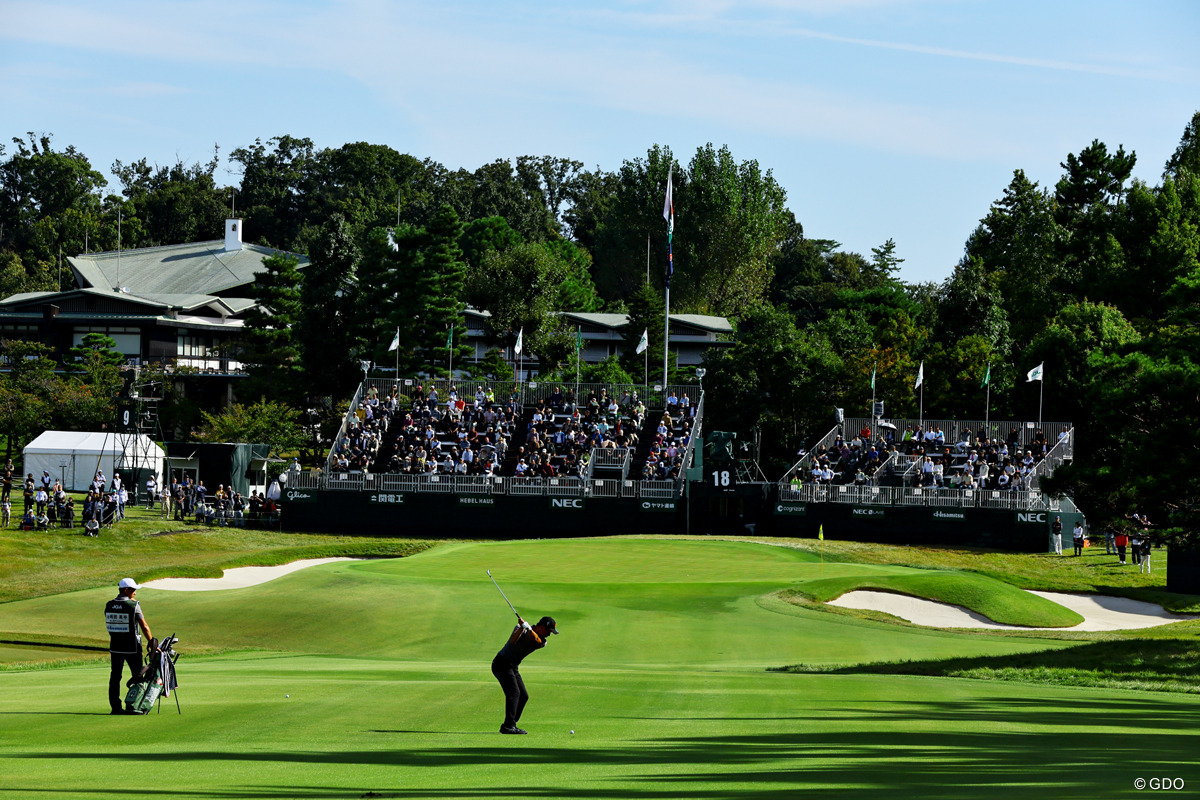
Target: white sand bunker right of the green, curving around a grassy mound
{"x": 1100, "y": 612}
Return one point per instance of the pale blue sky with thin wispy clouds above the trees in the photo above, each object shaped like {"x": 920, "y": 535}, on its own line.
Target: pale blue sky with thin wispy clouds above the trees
{"x": 898, "y": 119}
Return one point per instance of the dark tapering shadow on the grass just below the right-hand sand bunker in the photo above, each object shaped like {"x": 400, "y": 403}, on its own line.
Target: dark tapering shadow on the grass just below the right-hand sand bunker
{"x": 1145, "y": 664}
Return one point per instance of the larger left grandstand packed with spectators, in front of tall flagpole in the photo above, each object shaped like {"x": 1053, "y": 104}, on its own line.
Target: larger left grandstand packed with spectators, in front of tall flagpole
{"x": 489, "y": 444}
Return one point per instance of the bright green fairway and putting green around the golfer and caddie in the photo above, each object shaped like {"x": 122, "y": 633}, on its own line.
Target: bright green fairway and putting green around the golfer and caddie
{"x": 661, "y": 671}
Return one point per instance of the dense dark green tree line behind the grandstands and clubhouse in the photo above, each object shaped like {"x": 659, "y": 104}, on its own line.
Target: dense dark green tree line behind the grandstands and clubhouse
{"x": 1095, "y": 278}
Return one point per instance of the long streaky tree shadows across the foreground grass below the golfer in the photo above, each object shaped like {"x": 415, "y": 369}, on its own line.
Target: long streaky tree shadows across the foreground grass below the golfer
{"x": 904, "y": 749}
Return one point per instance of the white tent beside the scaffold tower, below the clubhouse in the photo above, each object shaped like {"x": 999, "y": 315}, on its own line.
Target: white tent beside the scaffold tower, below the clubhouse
{"x": 74, "y": 458}
